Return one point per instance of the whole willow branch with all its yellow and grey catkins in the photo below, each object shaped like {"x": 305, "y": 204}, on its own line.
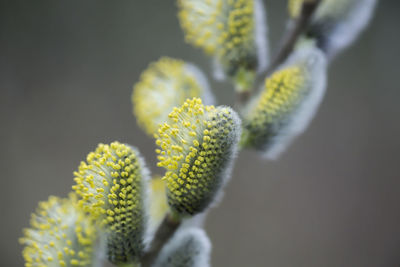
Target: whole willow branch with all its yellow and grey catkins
{"x": 197, "y": 142}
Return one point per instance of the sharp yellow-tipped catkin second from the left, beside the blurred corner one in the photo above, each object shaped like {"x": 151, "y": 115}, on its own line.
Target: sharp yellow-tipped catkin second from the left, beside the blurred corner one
{"x": 112, "y": 185}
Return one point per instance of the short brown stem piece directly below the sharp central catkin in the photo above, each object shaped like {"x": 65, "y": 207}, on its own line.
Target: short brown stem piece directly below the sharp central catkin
{"x": 164, "y": 232}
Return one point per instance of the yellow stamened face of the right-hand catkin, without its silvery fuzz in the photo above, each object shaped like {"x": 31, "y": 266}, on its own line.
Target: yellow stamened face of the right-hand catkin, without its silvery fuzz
{"x": 282, "y": 94}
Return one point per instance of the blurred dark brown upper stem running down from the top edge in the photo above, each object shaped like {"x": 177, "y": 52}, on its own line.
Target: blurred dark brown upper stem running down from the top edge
{"x": 288, "y": 43}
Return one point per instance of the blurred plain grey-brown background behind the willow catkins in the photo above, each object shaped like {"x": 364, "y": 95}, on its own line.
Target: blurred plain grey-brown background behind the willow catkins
{"x": 66, "y": 73}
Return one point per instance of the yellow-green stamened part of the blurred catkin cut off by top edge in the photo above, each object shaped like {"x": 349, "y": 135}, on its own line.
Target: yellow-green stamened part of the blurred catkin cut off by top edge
{"x": 223, "y": 29}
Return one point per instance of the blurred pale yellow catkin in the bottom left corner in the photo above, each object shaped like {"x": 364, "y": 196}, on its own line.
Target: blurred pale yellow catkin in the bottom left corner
{"x": 61, "y": 234}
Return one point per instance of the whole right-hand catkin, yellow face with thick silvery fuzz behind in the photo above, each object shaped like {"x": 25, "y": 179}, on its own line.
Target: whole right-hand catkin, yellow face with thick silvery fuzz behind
{"x": 287, "y": 103}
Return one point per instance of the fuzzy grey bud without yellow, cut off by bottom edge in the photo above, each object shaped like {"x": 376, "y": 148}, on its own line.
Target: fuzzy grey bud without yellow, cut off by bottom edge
{"x": 188, "y": 247}
